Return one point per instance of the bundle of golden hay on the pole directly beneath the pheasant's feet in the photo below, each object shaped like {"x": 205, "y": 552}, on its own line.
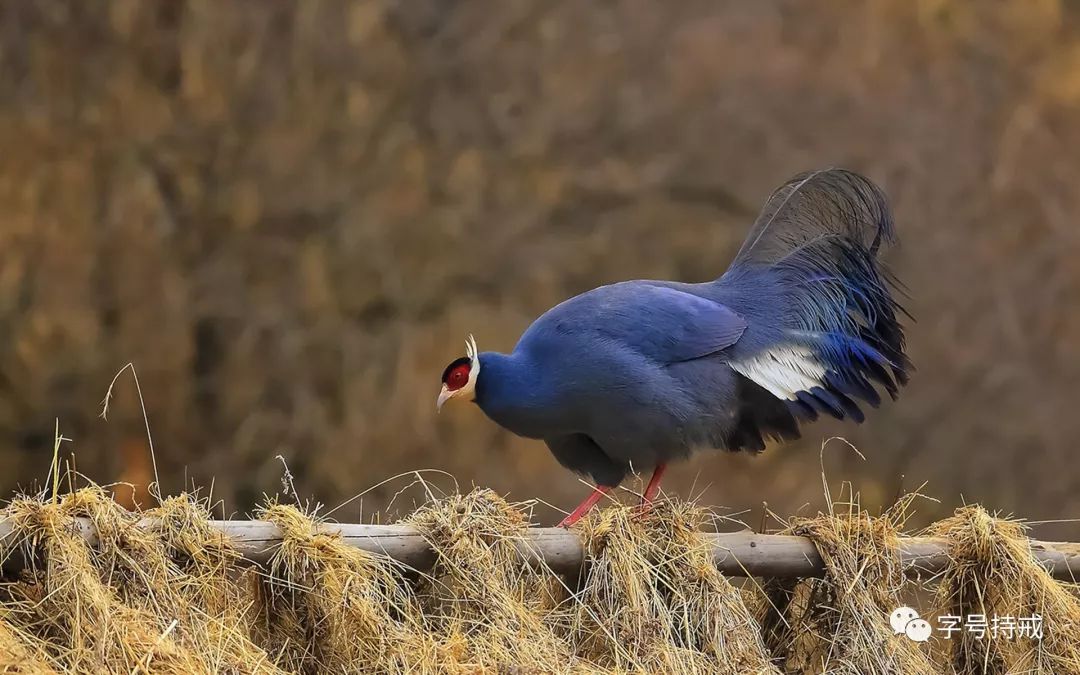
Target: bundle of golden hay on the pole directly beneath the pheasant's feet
{"x": 653, "y": 601}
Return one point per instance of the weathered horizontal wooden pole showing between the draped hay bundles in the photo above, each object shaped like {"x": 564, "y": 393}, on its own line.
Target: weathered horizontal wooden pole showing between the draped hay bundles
{"x": 736, "y": 555}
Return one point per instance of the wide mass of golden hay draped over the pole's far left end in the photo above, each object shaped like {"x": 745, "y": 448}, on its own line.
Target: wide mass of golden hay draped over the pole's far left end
{"x": 126, "y": 600}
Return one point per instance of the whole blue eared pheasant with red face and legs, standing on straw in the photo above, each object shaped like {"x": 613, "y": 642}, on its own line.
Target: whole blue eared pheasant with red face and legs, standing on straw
{"x": 634, "y": 375}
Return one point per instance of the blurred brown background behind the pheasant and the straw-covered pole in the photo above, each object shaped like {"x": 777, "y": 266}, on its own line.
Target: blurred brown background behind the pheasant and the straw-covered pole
{"x": 288, "y": 215}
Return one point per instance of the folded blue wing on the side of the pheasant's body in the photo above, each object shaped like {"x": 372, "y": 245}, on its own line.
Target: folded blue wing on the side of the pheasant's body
{"x": 669, "y": 326}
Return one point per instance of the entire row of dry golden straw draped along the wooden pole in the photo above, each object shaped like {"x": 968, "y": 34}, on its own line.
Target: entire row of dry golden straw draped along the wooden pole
{"x": 164, "y": 591}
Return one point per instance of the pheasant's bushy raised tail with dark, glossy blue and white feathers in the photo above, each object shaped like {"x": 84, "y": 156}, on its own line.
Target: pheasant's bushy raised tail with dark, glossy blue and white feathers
{"x": 817, "y": 241}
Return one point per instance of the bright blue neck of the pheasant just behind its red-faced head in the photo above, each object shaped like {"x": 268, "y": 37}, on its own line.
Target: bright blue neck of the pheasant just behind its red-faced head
{"x": 514, "y": 394}
